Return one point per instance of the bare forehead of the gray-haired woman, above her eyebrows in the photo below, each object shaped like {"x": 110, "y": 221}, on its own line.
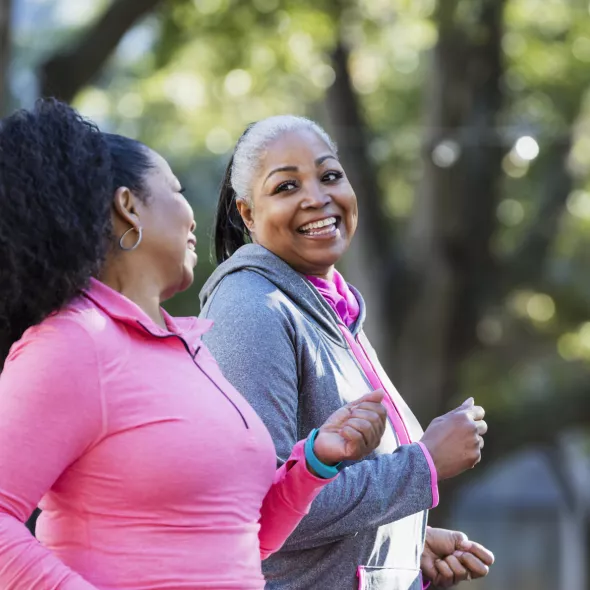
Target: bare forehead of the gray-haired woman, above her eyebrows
{"x": 294, "y": 148}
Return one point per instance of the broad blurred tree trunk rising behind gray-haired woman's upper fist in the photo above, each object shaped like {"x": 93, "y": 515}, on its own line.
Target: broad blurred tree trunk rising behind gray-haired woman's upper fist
{"x": 453, "y": 219}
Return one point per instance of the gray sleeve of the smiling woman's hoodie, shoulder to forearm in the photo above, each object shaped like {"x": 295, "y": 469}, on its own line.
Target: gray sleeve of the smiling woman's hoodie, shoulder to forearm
{"x": 254, "y": 341}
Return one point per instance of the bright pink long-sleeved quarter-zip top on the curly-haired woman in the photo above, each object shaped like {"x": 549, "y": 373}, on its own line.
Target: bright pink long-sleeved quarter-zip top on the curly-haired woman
{"x": 151, "y": 469}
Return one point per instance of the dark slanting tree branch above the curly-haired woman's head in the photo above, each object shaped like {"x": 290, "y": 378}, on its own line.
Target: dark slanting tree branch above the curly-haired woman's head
{"x": 64, "y": 74}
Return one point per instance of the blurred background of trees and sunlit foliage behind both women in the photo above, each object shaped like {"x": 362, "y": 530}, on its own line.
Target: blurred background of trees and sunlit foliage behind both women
{"x": 464, "y": 126}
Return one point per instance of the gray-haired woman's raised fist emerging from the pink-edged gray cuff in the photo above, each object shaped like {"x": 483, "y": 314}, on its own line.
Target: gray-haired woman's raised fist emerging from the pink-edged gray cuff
{"x": 455, "y": 439}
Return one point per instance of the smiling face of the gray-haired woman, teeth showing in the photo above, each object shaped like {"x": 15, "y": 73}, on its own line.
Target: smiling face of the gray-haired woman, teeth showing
{"x": 303, "y": 208}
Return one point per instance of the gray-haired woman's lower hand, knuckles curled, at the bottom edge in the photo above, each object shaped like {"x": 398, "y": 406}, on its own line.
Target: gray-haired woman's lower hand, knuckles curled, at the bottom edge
{"x": 450, "y": 558}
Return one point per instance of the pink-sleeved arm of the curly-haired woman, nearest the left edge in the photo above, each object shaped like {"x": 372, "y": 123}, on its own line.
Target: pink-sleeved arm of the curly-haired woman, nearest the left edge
{"x": 50, "y": 412}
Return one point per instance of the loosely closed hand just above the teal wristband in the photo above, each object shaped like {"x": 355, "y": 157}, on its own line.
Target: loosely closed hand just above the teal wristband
{"x": 353, "y": 431}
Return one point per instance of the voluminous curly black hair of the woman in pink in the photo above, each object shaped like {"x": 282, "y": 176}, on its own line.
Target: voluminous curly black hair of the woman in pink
{"x": 58, "y": 175}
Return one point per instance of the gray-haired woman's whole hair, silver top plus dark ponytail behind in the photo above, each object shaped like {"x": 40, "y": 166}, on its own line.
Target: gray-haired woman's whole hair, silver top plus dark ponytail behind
{"x": 230, "y": 231}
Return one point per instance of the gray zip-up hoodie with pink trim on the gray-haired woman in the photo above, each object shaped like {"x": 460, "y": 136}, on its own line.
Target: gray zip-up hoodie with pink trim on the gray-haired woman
{"x": 280, "y": 344}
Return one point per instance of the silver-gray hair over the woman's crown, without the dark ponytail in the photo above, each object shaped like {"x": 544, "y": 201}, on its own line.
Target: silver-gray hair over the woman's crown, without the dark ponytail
{"x": 252, "y": 145}
